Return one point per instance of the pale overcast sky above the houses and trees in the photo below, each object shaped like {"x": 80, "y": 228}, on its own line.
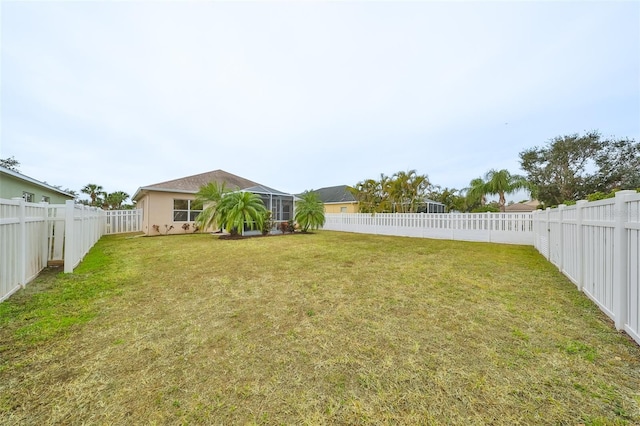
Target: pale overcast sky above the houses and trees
{"x": 307, "y": 94}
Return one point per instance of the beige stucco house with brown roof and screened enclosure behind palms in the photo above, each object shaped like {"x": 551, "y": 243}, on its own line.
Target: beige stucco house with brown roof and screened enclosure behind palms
{"x": 169, "y": 208}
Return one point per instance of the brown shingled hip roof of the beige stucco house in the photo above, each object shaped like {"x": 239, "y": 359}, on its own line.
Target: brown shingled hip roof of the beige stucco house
{"x": 191, "y": 184}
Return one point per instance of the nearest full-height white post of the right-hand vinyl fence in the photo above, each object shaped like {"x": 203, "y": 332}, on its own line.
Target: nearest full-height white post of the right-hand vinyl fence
{"x": 620, "y": 259}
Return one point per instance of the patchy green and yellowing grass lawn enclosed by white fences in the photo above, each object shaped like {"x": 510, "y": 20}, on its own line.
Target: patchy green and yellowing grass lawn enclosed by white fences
{"x": 327, "y": 328}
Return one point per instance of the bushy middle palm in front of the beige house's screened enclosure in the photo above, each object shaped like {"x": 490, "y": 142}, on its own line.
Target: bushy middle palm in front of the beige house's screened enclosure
{"x": 237, "y": 208}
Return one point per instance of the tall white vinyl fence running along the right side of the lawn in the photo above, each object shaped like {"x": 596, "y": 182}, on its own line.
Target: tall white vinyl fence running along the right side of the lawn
{"x": 597, "y": 246}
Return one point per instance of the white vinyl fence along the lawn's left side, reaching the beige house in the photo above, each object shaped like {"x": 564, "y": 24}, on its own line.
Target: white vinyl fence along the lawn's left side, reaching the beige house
{"x": 35, "y": 234}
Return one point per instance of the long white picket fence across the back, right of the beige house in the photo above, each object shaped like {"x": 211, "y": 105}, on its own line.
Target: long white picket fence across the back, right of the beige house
{"x": 510, "y": 228}
